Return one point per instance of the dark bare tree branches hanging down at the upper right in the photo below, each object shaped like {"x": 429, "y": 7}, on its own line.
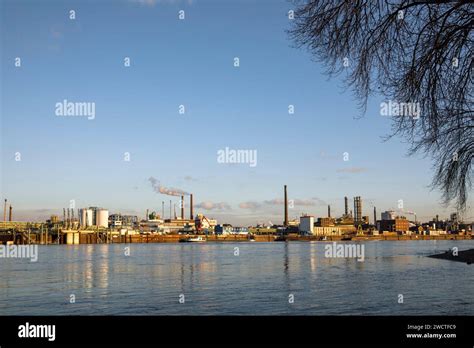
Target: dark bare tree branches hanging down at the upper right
{"x": 410, "y": 52}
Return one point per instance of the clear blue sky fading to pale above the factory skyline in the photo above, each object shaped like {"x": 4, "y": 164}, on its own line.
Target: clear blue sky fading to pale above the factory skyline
{"x": 323, "y": 151}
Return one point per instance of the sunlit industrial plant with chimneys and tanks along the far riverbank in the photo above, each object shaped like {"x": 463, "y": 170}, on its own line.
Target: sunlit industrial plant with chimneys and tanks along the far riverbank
{"x": 91, "y": 225}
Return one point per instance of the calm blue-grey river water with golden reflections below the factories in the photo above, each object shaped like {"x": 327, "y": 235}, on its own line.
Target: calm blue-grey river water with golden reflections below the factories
{"x": 258, "y": 281}
